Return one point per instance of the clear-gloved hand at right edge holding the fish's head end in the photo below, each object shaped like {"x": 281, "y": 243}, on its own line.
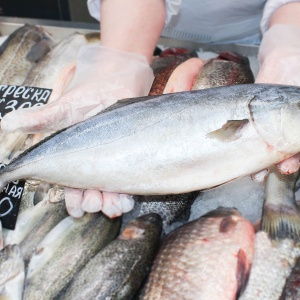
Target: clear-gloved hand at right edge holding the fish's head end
{"x": 279, "y": 58}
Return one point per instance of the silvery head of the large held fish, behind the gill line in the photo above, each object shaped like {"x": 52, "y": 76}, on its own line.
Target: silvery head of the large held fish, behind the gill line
{"x": 276, "y": 117}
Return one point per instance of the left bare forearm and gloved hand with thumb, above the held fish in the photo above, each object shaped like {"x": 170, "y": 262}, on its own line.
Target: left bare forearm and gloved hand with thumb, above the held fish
{"x": 119, "y": 69}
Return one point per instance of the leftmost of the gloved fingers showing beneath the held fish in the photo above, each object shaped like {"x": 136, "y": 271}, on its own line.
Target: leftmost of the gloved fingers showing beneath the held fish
{"x": 74, "y": 199}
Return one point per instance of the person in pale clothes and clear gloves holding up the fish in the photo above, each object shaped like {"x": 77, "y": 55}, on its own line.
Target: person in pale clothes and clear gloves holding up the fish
{"x": 119, "y": 68}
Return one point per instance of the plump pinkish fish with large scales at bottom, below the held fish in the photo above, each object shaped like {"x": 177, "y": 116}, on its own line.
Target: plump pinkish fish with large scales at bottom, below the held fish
{"x": 209, "y": 258}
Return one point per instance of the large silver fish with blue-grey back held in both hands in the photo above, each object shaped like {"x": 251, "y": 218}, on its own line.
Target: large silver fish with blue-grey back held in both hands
{"x": 186, "y": 141}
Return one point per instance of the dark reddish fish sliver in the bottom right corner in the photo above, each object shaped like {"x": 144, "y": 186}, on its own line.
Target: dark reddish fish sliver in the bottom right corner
{"x": 291, "y": 290}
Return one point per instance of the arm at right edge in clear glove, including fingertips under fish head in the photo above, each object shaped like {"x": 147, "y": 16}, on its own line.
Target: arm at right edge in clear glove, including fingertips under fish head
{"x": 279, "y": 57}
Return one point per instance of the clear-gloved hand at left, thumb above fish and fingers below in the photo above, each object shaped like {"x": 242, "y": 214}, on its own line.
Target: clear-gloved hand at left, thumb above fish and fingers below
{"x": 102, "y": 77}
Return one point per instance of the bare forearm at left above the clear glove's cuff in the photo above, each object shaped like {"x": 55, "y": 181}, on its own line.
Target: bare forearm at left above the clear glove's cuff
{"x": 137, "y": 30}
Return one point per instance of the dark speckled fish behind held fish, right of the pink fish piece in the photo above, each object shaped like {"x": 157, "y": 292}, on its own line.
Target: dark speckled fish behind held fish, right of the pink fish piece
{"x": 227, "y": 68}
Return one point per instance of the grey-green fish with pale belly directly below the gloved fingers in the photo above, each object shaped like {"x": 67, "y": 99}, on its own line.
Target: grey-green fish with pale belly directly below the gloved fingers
{"x": 64, "y": 251}
